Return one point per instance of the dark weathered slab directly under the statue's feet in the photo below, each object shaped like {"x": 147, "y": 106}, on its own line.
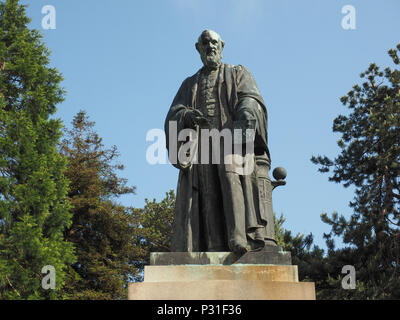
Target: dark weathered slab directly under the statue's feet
{"x": 270, "y": 256}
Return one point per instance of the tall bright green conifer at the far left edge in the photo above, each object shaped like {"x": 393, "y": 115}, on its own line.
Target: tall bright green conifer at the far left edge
{"x": 34, "y": 210}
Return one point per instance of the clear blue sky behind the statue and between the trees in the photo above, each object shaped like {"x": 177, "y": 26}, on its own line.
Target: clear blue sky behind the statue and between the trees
{"x": 124, "y": 60}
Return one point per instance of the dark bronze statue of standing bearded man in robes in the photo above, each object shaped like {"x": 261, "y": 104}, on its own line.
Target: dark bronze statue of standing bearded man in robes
{"x": 219, "y": 208}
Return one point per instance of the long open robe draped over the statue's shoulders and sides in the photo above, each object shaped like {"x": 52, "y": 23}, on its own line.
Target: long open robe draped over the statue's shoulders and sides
{"x": 237, "y": 91}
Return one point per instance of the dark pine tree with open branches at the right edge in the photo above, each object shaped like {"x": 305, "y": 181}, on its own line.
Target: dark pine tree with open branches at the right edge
{"x": 369, "y": 161}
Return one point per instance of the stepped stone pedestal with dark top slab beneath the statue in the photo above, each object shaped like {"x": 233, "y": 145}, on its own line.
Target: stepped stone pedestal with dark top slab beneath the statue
{"x": 264, "y": 275}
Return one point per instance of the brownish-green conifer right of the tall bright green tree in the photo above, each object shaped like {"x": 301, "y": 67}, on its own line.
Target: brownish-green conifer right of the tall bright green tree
{"x": 102, "y": 230}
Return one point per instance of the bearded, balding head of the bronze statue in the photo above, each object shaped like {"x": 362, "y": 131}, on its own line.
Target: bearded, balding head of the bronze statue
{"x": 210, "y": 46}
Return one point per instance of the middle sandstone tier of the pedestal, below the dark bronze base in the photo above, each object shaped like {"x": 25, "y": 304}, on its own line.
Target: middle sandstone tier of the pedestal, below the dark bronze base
{"x": 218, "y": 272}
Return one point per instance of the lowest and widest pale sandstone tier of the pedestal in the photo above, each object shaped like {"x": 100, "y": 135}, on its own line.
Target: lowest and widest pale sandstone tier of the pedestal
{"x": 222, "y": 290}
